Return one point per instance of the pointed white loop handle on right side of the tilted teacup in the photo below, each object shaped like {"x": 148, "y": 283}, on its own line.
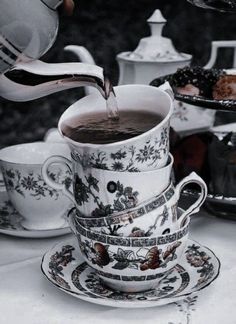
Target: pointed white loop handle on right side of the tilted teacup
{"x": 195, "y": 207}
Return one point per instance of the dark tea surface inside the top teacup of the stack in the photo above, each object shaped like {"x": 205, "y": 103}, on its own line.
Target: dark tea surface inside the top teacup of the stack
{"x": 97, "y": 128}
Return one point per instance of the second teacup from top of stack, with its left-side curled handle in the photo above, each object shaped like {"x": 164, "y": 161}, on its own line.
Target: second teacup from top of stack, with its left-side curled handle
{"x": 99, "y": 193}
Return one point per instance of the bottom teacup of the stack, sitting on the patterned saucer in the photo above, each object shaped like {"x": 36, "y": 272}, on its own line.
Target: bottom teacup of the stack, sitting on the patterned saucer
{"x": 130, "y": 264}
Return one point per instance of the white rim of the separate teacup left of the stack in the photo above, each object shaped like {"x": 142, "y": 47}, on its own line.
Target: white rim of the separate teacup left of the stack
{"x": 12, "y": 148}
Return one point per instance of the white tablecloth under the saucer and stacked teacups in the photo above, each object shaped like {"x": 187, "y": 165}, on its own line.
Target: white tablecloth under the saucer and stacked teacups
{"x": 27, "y": 297}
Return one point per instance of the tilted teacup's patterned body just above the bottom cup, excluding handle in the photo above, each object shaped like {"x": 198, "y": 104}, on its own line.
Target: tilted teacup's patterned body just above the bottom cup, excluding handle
{"x": 144, "y": 220}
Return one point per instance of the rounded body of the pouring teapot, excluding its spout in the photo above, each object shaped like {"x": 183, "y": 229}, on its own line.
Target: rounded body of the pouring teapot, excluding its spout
{"x": 28, "y": 28}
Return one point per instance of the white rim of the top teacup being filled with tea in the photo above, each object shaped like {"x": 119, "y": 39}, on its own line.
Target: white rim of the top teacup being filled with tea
{"x": 124, "y": 142}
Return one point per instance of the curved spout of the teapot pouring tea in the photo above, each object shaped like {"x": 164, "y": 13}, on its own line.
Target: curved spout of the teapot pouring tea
{"x": 36, "y": 79}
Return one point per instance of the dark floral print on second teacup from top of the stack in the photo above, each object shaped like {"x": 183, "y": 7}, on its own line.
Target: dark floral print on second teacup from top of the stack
{"x": 125, "y": 197}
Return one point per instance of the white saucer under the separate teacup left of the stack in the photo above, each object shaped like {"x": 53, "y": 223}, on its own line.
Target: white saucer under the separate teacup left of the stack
{"x": 10, "y": 222}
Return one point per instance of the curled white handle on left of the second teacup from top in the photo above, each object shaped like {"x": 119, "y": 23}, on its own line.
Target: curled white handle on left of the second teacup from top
{"x": 50, "y": 182}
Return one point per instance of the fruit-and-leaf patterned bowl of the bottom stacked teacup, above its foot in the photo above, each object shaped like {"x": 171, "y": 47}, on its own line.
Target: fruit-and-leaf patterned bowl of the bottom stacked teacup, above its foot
{"x": 130, "y": 255}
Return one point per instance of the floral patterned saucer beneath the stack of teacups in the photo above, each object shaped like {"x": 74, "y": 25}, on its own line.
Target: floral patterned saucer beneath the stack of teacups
{"x": 196, "y": 269}
